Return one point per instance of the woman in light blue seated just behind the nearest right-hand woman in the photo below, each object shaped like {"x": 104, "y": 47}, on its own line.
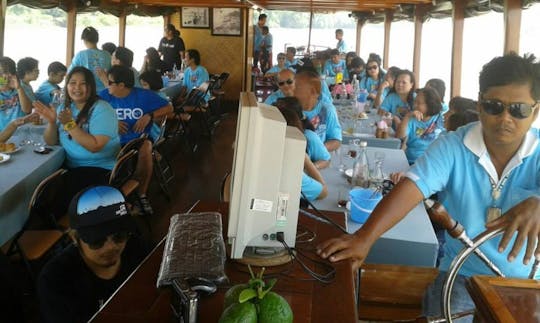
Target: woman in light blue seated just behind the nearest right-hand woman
{"x": 399, "y": 101}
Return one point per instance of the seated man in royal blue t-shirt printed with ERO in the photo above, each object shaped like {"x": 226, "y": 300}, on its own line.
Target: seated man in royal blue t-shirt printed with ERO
{"x": 136, "y": 109}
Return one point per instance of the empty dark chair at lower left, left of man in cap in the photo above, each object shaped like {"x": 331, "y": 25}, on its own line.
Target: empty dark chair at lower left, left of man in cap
{"x": 38, "y": 237}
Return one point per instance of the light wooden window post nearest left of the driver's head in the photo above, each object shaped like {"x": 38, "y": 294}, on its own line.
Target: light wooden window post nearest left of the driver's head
{"x": 458, "y": 16}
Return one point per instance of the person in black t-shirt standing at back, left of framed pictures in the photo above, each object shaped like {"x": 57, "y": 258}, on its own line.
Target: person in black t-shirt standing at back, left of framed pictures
{"x": 171, "y": 48}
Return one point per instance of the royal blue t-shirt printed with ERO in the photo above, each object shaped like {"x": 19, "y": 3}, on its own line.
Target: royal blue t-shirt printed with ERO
{"x": 132, "y": 107}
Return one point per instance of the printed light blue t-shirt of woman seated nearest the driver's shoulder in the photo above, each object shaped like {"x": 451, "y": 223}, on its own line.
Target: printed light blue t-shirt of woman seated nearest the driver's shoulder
{"x": 420, "y": 134}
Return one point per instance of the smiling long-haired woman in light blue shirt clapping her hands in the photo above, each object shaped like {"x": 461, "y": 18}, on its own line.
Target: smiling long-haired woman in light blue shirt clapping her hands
{"x": 85, "y": 126}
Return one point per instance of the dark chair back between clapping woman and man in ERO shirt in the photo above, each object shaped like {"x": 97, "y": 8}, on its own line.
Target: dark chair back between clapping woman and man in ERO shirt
{"x": 122, "y": 175}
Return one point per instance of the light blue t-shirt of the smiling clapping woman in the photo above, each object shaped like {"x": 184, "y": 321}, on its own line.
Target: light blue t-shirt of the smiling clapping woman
{"x": 103, "y": 122}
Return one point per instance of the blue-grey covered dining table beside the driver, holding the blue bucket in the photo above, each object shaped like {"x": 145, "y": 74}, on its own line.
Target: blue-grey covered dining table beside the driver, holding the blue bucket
{"x": 412, "y": 241}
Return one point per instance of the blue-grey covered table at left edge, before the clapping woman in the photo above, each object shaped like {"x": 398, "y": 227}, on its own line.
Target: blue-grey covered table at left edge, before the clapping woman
{"x": 21, "y": 173}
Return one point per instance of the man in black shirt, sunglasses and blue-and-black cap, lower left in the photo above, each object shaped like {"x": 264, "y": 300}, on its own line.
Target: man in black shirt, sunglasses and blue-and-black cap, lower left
{"x": 76, "y": 283}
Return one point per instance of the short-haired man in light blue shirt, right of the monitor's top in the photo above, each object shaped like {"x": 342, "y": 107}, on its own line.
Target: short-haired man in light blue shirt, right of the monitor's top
{"x": 321, "y": 113}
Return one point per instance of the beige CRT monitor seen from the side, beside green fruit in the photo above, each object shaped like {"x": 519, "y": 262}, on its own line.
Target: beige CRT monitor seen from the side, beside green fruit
{"x": 266, "y": 178}
